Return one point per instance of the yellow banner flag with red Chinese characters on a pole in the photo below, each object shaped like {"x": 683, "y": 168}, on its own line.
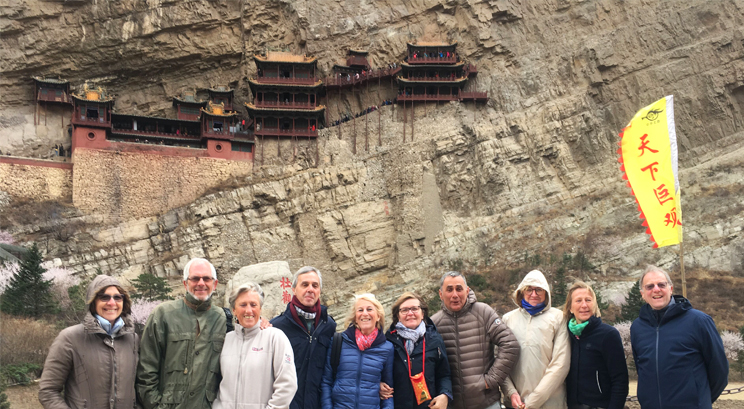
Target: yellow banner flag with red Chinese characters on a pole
{"x": 648, "y": 157}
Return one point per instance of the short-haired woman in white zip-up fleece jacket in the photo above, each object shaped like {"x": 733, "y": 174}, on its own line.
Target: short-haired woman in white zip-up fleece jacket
{"x": 257, "y": 366}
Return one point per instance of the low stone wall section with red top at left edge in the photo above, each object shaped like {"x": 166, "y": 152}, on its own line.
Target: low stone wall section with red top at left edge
{"x": 36, "y": 180}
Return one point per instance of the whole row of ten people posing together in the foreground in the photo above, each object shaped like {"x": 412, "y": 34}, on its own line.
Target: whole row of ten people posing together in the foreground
{"x": 463, "y": 356}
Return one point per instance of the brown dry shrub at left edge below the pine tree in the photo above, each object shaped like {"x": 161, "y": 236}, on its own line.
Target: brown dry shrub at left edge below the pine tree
{"x": 25, "y": 340}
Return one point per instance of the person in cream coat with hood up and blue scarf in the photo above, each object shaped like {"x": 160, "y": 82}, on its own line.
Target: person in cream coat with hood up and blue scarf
{"x": 538, "y": 379}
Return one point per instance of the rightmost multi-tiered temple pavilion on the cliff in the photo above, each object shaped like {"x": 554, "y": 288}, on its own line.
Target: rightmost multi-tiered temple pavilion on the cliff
{"x": 434, "y": 72}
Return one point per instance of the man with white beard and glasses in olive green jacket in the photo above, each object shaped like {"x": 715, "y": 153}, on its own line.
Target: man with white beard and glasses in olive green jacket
{"x": 179, "y": 362}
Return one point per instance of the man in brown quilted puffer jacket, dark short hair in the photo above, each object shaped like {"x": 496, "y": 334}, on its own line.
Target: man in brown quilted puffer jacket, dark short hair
{"x": 470, "y": 330}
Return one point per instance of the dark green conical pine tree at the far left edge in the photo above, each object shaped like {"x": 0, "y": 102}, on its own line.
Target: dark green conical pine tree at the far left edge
{"x": 28, "y": 294}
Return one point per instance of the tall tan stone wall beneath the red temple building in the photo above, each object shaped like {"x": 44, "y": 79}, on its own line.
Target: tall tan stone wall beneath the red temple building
{"x": 126, "y": 185}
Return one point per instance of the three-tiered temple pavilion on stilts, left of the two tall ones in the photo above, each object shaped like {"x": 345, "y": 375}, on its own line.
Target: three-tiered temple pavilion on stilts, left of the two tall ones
{"x": 285, "y": 97}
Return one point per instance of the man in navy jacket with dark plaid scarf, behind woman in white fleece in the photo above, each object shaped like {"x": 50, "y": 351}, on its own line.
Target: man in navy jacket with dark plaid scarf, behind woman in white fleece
{"x": 309, "y": 329}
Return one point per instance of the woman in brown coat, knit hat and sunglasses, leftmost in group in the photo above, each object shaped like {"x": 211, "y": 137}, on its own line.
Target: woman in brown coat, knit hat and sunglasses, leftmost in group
{"x": 95, "y": 361}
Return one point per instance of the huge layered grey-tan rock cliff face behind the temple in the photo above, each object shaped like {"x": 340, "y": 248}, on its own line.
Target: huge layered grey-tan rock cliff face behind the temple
{"x": 532, "y": 171}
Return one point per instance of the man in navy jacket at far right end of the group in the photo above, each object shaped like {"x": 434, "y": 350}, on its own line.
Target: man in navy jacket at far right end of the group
{"x": 677, "y": 350}
